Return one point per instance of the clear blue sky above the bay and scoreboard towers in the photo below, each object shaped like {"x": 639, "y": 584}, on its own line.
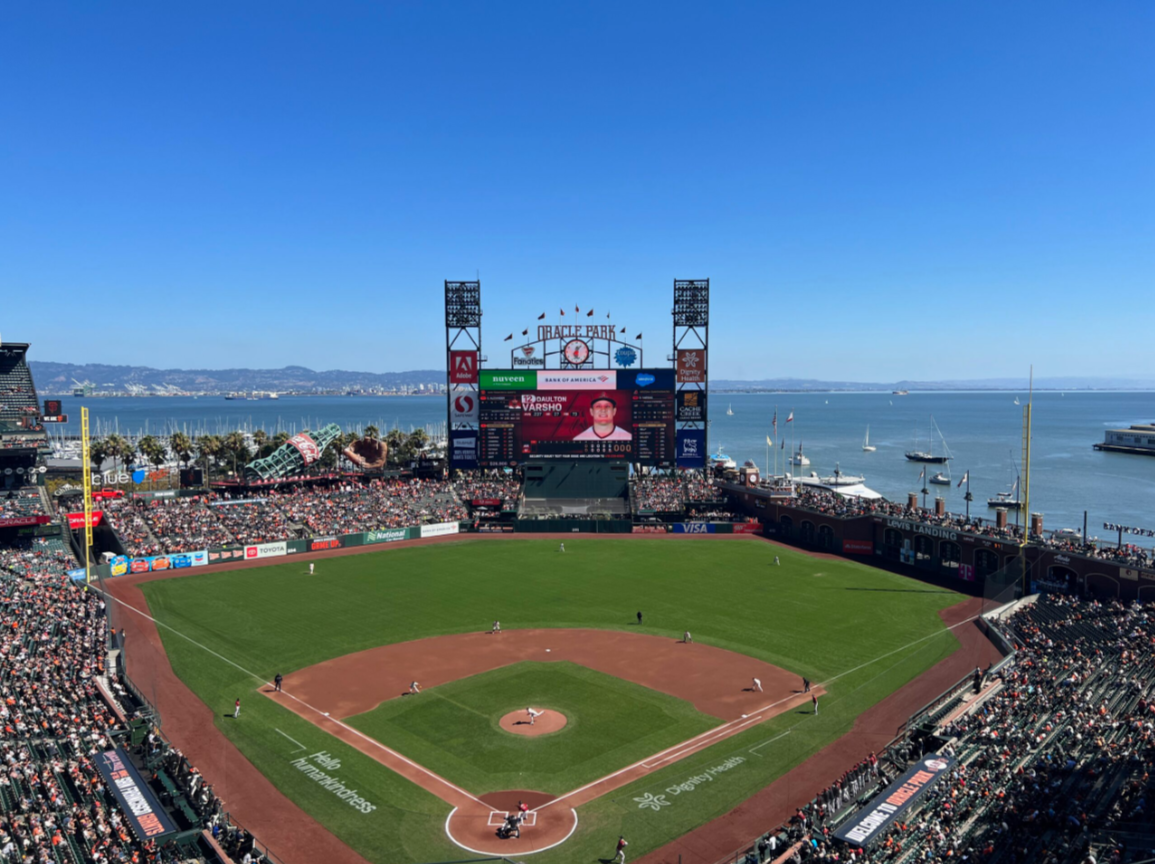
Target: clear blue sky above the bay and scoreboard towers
{"x": 877, "y": 191}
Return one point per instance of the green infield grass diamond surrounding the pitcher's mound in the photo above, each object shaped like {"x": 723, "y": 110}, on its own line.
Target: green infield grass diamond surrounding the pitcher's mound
{"x": 453, "y": 729}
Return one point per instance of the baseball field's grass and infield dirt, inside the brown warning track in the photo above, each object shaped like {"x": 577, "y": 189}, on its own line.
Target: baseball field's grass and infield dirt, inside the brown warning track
{"x": 661, "y": 736}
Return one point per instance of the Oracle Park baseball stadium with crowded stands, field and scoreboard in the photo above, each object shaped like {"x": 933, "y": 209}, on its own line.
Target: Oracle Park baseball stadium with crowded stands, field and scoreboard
{"x": 565, "y": 634}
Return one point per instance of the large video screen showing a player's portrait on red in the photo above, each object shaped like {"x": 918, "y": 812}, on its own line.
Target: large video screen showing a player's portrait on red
{"x": 577, "y": 414}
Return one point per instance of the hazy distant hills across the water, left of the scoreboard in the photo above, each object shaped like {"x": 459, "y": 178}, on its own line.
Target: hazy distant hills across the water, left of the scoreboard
{"x": 58, "y": 378}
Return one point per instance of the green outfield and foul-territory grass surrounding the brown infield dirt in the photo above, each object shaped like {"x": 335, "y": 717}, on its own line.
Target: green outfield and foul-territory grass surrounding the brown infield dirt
{"x": 819, "y": 619}
